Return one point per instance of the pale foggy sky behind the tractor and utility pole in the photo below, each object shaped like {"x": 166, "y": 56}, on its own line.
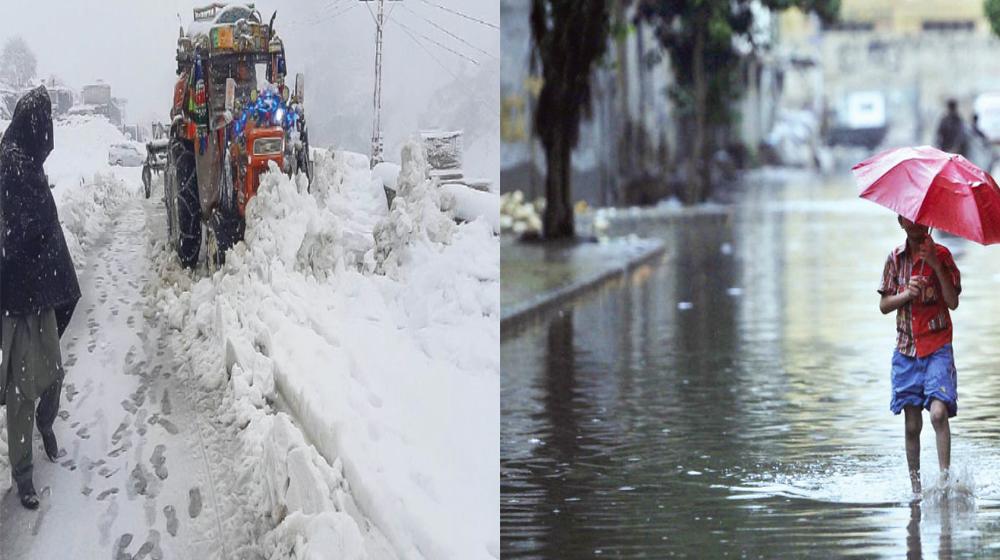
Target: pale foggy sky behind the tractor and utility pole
{"x": 130, "y": 45}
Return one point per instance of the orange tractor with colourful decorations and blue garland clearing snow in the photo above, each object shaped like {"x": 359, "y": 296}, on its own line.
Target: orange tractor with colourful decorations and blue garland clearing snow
{"x": 232, "y": 116}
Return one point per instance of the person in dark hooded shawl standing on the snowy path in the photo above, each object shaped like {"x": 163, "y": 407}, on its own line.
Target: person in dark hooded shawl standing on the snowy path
{"x": 38, "y": 288}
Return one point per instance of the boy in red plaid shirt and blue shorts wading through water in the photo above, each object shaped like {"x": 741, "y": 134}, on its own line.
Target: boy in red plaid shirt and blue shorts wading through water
{"x": 921, "y": 284}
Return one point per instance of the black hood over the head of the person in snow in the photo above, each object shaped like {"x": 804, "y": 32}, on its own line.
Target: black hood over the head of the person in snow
{"x": 30, "y": 130}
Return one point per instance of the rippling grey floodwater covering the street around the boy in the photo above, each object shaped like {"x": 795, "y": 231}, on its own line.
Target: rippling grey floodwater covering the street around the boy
{"x": 732, "y": 398}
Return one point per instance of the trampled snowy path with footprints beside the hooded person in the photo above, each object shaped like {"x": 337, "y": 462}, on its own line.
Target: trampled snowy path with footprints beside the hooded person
{"x": 147, "y": 466}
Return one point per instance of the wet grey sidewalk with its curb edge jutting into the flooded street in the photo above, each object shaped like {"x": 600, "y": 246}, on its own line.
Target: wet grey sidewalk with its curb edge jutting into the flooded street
{"x": 535, "y": 277}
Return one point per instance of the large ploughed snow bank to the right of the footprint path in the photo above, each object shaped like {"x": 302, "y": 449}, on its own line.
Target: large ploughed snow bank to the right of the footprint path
{"x": 379, "y": 333}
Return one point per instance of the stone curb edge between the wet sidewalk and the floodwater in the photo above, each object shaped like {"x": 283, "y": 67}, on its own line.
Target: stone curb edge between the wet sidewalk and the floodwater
{"x": 512, "y": 316}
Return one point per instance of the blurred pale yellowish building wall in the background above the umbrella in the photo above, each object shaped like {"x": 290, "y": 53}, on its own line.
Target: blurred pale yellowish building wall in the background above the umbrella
{"x": 905, "y": 51}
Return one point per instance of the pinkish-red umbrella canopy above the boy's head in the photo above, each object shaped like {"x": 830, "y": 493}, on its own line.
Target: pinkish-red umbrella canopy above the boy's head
{"x": 934, "y": 188}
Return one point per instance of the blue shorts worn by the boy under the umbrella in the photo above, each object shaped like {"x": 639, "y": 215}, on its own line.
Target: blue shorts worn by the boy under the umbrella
{"x": 916, "y": 381}
